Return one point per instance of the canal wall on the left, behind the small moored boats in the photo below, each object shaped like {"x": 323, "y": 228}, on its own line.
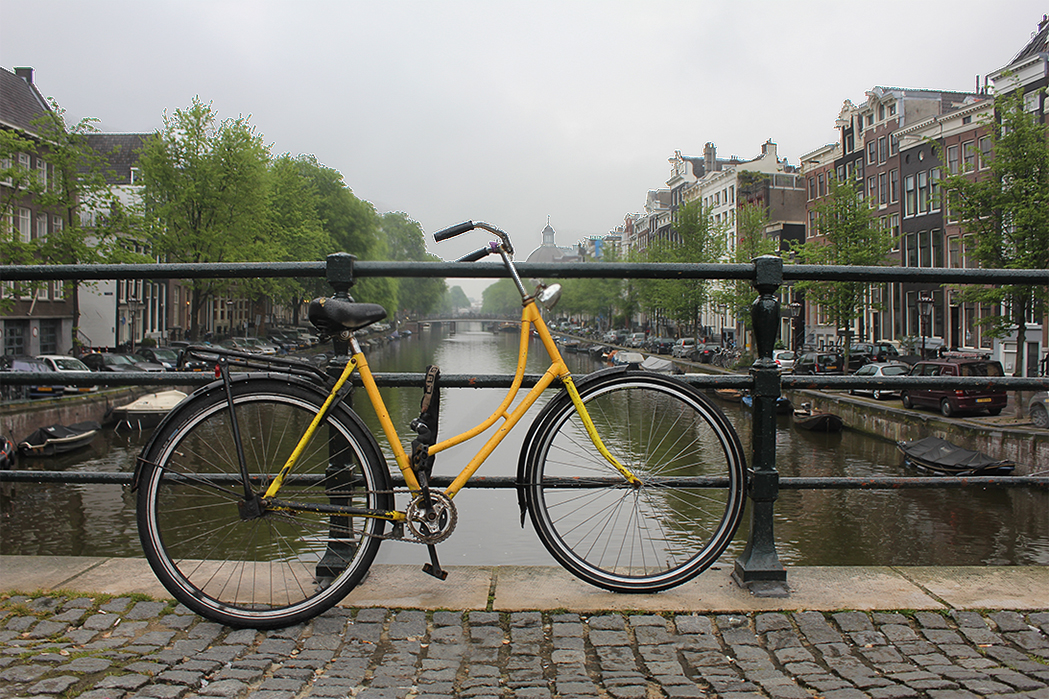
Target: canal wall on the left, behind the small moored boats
{"x": 19, "y": 419}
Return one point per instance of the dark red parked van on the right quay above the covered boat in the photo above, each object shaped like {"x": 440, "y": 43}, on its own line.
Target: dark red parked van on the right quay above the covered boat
{"x": 951, "y": 401}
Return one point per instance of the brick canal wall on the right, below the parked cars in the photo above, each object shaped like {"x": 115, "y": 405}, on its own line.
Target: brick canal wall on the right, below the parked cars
{"x": 1026, "y": 447}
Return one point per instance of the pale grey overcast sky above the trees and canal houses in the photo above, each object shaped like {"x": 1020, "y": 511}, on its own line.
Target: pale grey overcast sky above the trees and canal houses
{"x": 501, "y": 111}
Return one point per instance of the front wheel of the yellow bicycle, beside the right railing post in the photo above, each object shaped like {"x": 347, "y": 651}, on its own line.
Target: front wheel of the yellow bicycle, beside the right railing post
{"x": 627, "y": 539}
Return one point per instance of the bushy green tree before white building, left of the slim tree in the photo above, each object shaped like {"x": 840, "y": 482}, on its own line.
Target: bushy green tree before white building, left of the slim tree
{"x": 695, "y": 239}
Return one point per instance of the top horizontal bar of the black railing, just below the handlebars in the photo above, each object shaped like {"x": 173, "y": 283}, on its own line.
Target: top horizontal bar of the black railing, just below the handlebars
{"x": 543, "y": 270}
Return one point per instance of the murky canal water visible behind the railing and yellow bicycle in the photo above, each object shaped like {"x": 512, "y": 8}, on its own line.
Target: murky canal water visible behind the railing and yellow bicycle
{"x": 931, "y": 527}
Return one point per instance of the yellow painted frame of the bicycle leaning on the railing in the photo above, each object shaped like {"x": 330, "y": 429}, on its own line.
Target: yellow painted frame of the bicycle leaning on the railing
{"x": 558, "y": 370}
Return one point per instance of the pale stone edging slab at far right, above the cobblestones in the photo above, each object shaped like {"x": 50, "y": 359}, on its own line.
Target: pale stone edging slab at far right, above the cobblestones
{"x": 1021, "y": 587}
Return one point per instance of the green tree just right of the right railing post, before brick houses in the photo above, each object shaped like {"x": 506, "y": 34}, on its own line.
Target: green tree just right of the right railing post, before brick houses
{"x": 850, "y": 238}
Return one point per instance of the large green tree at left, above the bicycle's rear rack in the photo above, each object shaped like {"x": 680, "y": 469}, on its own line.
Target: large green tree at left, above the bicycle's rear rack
{"x": 206, "y": 195}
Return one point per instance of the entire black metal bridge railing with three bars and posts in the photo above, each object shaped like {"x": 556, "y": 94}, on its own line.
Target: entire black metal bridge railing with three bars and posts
{"x": 759, "y": 567}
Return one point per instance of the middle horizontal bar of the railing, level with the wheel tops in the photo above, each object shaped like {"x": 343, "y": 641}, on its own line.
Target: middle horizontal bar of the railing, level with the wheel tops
{"x": 390, "y": 379}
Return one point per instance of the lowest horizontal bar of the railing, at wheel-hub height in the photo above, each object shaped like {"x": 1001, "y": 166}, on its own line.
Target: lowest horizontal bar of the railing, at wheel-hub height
{"x": 504, "y": 482}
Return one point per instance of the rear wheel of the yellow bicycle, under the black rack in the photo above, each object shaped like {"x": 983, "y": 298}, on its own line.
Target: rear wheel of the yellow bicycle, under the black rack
{"x": 281, "y": 568}
